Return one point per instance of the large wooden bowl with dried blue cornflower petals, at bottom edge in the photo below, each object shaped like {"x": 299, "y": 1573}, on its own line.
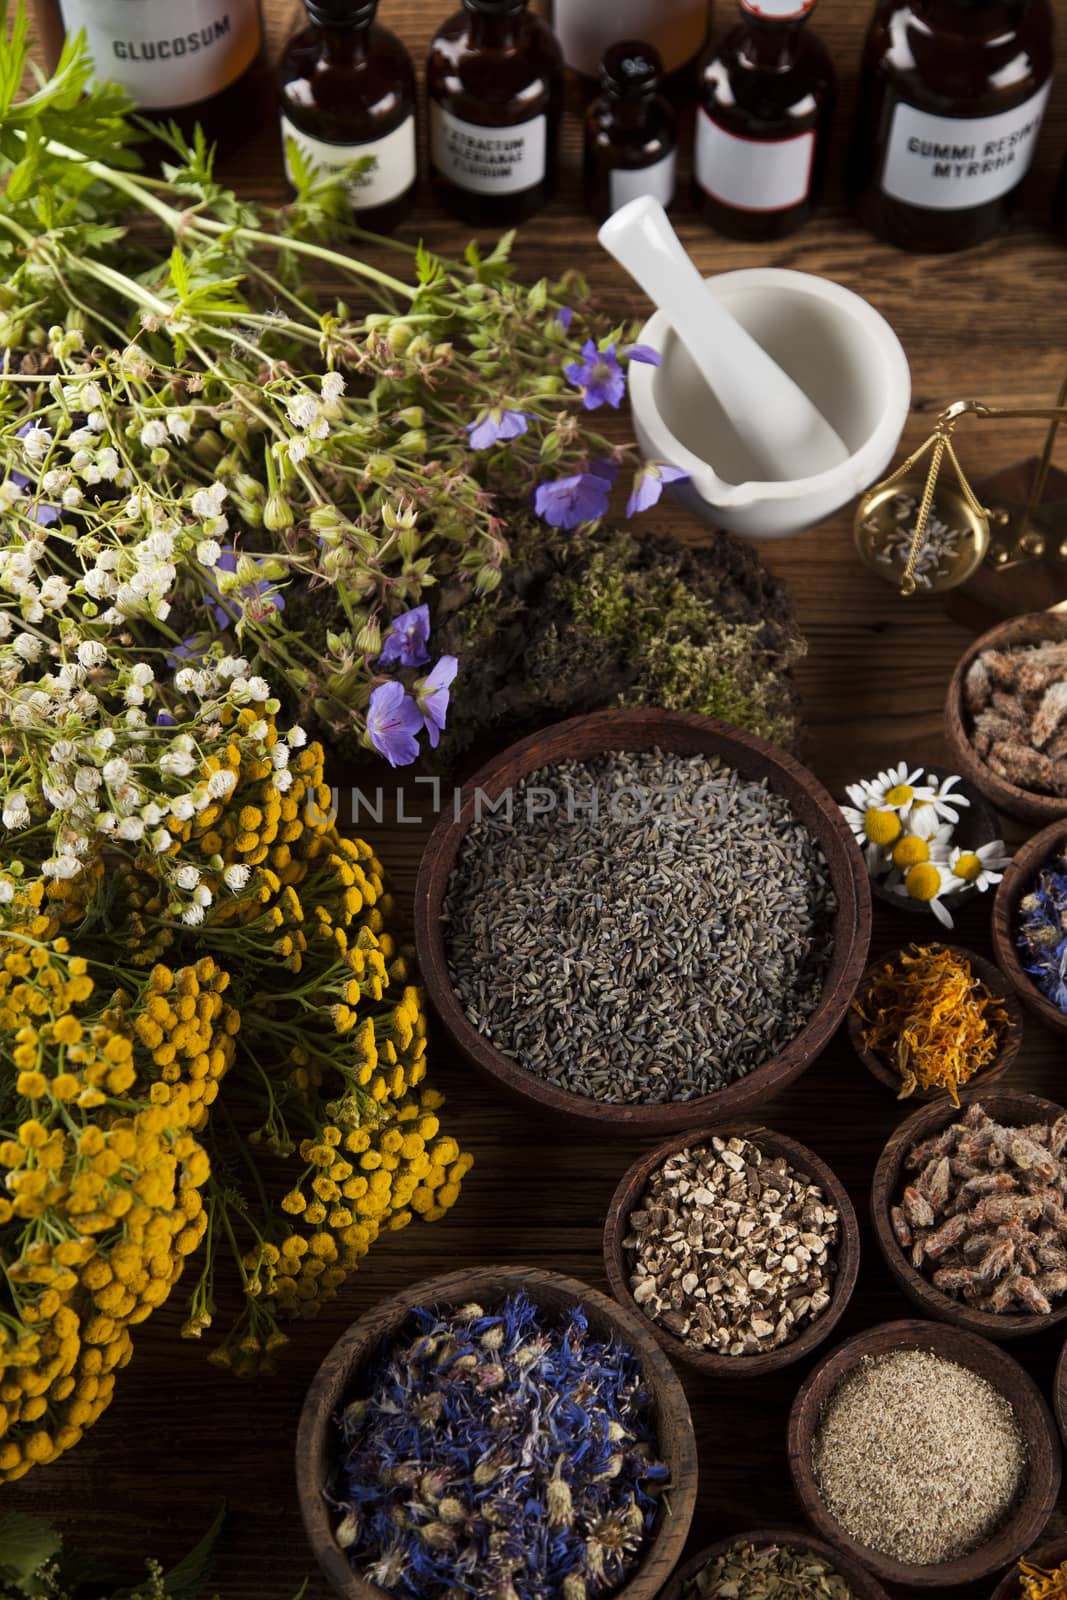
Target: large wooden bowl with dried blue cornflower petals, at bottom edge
{"x": 497, "y": 1431}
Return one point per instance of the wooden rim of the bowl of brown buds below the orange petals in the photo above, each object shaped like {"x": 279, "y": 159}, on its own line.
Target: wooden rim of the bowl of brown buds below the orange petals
{"x": 1009, "y": 1106}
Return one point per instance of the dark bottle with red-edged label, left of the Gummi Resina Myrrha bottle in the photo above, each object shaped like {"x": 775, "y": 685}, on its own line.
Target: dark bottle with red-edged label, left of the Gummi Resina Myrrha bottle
{"x": 764, "y": 122}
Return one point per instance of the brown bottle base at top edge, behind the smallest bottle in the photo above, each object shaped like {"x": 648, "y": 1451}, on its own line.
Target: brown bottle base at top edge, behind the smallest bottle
{"x": 588, "y": 28}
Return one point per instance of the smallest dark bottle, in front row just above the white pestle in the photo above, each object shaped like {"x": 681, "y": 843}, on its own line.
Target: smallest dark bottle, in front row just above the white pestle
{"x": 631, "y": 132}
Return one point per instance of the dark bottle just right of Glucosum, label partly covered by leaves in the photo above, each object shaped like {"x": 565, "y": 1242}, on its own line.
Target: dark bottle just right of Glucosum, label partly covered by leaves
{"x": 348, "y": 94}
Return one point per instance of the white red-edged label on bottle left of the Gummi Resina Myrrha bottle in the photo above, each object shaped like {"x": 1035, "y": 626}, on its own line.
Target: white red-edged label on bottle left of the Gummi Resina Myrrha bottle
{"x": 753, "y": 175}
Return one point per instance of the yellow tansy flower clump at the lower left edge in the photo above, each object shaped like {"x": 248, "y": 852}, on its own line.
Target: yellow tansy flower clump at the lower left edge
{"x": 103, "y": 1175}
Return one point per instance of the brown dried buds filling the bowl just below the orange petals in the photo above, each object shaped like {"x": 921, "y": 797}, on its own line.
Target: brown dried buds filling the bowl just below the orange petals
{"x": 986, "y": 1214}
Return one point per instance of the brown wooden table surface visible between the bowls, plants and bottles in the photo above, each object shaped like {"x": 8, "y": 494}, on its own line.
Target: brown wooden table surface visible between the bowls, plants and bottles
{"x": 183, "y": 1438}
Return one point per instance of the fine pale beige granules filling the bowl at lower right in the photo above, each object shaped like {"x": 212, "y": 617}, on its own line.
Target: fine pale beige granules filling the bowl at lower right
{"x": 919, "y": 1458}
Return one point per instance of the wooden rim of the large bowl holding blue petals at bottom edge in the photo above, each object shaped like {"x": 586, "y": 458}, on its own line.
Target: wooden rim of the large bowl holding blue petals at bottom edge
{"x": 556, "y": 1295}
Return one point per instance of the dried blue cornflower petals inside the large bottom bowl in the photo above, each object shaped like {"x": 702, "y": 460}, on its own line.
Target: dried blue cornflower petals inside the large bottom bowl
{"x": 498, "y": 1455}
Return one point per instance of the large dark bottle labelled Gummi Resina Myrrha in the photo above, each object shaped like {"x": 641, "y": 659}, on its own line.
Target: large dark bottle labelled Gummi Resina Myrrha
{"x": 951, "y": 106}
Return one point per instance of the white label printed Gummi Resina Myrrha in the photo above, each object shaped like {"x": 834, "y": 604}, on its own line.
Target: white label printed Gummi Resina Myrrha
{"x": 953, "y": 164}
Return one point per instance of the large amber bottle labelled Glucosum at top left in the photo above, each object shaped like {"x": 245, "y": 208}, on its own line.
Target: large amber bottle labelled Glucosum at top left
{"x": 196, "y": 62}
